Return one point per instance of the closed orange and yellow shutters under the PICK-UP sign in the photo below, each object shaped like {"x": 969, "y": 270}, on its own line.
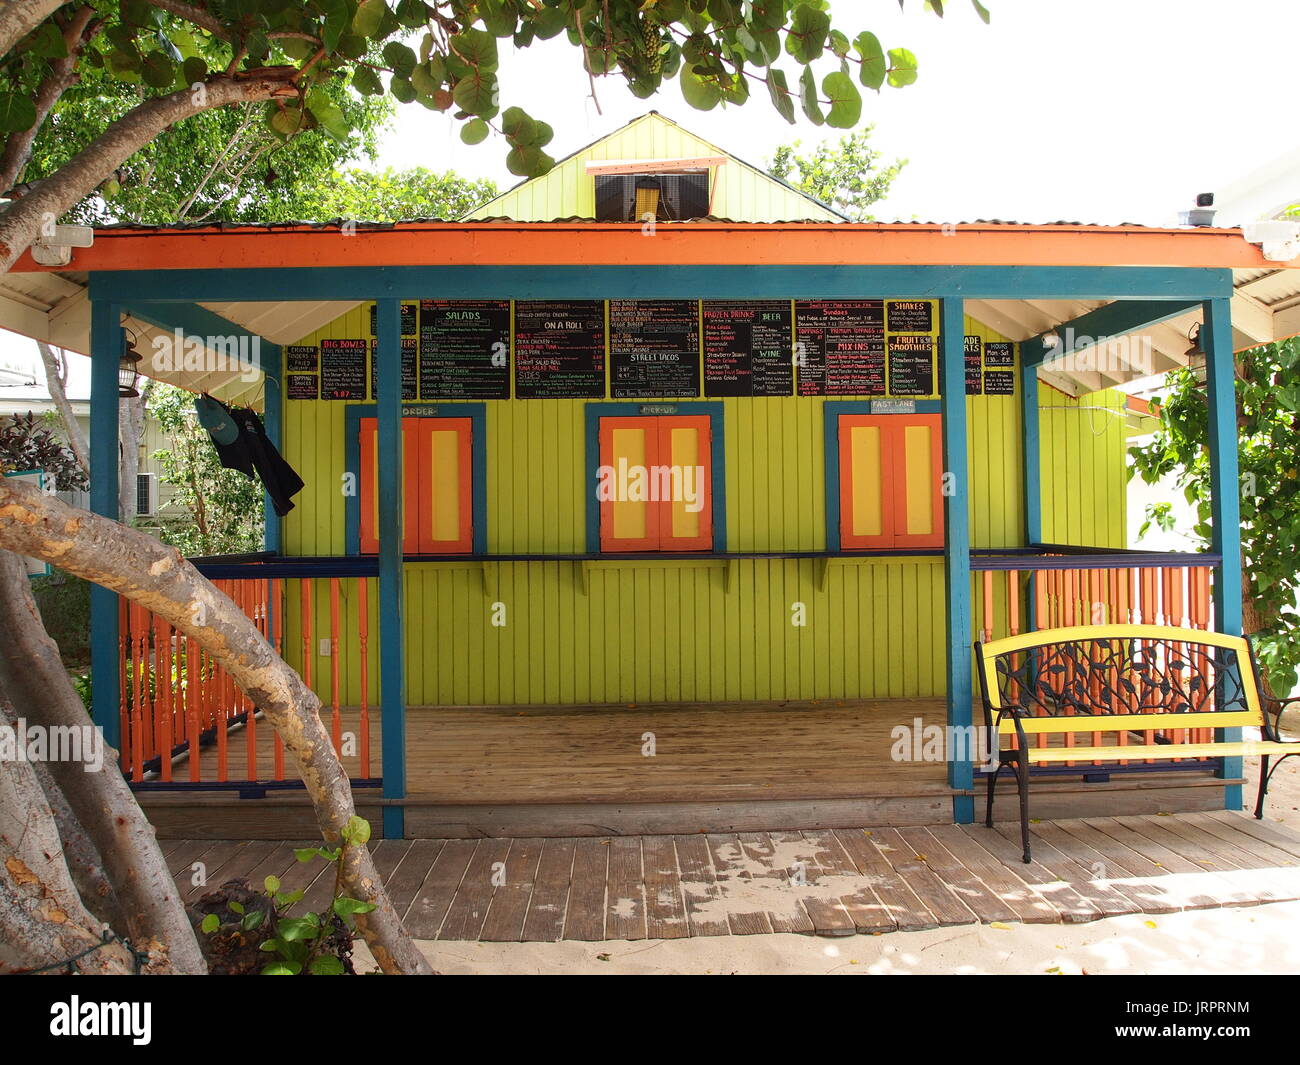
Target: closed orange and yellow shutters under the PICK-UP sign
{"x": 656, "y": 484}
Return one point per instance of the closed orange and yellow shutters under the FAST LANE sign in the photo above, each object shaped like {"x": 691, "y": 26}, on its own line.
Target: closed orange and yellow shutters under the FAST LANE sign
{"x": 891, "y": 482}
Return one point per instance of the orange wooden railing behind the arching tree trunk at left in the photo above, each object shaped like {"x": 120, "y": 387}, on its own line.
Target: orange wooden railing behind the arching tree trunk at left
{"x": 177, "y": 700}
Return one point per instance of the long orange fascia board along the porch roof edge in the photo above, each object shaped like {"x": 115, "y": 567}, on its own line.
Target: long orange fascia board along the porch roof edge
{"x": 682, "y": 244}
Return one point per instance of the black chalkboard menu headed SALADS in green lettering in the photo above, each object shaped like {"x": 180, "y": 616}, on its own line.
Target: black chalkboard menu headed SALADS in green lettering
{"x": 465, "y": 349}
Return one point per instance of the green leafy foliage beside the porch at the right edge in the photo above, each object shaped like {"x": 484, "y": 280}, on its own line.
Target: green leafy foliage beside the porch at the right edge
{"x": 1268, "y": 418}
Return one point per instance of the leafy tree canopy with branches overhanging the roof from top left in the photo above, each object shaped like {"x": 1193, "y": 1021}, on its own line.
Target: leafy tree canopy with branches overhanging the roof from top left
{"x": 141, "y": 67}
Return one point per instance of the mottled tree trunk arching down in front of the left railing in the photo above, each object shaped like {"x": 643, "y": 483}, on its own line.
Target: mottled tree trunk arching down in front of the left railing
{"x": 159, "y": 579}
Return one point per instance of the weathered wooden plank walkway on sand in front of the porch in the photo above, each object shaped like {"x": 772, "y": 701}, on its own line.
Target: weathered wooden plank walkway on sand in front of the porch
{"x": 821, "y": 882}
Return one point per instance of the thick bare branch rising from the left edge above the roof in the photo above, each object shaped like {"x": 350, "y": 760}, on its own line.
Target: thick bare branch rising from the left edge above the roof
{"x": 50, "y": 201}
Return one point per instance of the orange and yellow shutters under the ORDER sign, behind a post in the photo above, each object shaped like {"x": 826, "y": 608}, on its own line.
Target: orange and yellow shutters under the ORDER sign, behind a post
{"x": 437, "y": 477}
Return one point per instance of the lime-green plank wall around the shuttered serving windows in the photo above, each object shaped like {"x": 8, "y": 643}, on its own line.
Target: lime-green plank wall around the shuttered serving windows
{"x": 625, "y": 631}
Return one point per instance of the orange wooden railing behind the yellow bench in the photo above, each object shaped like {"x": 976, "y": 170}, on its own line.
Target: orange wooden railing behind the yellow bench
{"x": 1024, "y": 598}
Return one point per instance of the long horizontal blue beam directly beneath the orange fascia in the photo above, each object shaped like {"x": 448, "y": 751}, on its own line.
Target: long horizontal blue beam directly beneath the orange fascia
{"x": 726, "y": 282}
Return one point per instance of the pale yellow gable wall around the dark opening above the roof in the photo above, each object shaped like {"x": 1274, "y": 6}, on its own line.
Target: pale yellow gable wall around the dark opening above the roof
{"x": 739, "y": 193}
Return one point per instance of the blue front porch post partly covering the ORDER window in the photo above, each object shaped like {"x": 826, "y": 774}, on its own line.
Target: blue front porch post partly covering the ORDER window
{"x": 392, "y": 614}
